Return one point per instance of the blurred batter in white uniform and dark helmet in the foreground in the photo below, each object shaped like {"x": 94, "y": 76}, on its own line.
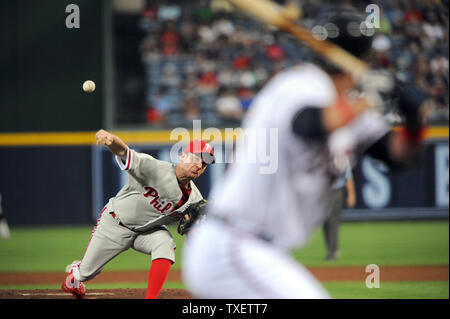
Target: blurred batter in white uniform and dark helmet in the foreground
{"x": 255, "y": 220}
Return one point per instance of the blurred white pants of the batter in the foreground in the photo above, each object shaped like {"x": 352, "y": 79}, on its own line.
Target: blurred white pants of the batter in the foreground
{"x": 219, "y": 262}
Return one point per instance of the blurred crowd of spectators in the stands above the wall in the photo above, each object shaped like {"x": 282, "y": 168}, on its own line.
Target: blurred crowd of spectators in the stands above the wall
{"x": 204, "y": 61}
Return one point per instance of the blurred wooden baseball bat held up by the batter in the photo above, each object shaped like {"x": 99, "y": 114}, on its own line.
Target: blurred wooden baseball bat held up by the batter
{"x": 276, "y": 15}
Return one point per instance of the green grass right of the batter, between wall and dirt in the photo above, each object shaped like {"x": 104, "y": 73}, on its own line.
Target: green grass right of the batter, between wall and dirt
{"x": 384, "y": 243}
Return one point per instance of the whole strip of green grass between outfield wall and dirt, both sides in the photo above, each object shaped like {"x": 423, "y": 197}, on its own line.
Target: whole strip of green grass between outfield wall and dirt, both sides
{"x": 43, "y": 249}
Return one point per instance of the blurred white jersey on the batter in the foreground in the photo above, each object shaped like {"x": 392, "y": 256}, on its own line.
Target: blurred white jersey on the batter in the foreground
{"x": 287, "y": 206}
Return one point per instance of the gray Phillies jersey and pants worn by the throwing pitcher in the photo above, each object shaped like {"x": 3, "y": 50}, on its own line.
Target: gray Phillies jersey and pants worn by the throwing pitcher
{"x": 137, "y": 217}
